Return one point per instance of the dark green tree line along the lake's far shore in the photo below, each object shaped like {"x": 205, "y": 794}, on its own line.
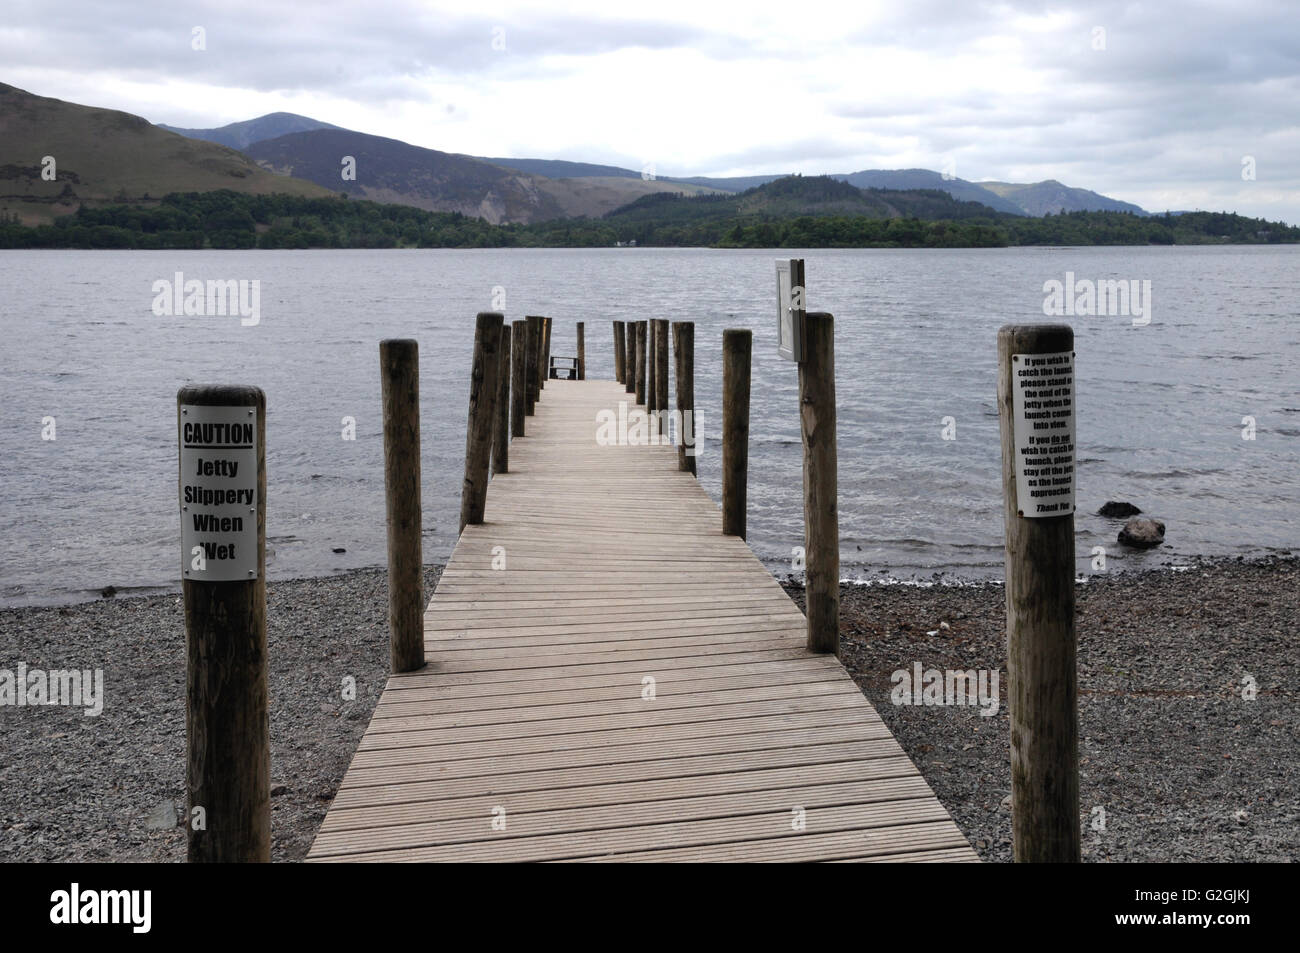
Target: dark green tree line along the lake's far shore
{"x": 232, "y": 220}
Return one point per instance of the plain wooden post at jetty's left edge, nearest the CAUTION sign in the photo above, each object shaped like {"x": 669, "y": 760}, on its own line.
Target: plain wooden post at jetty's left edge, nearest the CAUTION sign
{"x": 400, "y": 387}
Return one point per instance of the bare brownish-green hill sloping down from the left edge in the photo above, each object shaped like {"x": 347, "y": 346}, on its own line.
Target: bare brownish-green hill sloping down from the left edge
{"x": 103, "y": 155}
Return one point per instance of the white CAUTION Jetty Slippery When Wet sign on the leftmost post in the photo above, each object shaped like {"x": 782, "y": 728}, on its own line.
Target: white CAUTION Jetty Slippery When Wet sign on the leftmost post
{"x": 219, "y": 493}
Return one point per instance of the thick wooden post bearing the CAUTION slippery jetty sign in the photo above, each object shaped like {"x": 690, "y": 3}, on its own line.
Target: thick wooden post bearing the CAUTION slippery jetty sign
{"x": 228, "y": 730}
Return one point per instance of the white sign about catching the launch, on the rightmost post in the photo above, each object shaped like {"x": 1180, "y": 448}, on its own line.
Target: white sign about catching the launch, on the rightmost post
{"x": 1043, "y": 417}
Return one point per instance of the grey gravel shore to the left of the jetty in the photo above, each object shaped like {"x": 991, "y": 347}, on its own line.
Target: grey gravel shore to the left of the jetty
{"x": 84, "y": 789}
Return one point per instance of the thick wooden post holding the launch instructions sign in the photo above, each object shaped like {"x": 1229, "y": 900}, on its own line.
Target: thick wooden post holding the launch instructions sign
{"x": 1041, "y": 638}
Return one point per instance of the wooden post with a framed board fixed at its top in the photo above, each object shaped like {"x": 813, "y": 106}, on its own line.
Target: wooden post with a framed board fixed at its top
{"x": 821, "y": 484}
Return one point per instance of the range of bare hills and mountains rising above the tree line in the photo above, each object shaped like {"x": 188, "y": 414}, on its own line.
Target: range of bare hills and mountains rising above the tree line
{"x": 111, "y": 157}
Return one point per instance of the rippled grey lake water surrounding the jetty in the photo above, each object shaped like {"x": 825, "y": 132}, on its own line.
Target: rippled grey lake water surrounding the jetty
{"x": 1160, "y": 408}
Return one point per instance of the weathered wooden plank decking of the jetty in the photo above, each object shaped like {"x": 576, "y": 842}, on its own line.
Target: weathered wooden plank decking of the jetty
{"x": 532, "y": 704}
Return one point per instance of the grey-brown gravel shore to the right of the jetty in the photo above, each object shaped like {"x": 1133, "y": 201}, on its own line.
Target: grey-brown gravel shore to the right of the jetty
{"x": 1176, "y": 765}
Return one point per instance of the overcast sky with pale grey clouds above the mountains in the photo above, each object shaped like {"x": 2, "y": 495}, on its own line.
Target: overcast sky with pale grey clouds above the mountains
{"x": 1155, "y": 103}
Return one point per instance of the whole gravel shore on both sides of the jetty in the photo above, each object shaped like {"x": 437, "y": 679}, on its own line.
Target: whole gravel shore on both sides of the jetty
{"x": 1175, "y": 763}
